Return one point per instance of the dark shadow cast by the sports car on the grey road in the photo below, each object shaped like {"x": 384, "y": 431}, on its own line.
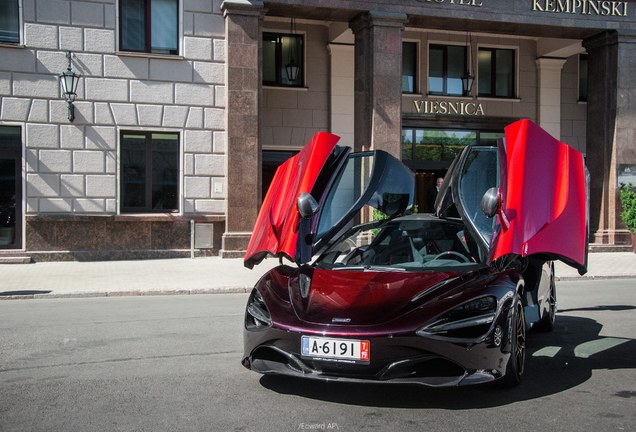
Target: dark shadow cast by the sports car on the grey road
{"x": 556, "y": 361}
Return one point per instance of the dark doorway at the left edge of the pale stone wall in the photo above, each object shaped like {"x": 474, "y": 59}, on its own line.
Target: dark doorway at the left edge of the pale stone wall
{"x": 10, "y": 188}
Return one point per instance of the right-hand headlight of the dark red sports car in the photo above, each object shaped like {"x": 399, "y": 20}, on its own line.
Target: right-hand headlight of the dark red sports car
{"x": 470, "y": 320}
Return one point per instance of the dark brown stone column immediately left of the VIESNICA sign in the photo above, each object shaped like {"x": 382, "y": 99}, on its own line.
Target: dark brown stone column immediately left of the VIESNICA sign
{"x": 378, "y": 88}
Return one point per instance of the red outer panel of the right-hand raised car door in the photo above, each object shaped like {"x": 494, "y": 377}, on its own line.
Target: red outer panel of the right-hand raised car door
{"x": 544, "y": 196}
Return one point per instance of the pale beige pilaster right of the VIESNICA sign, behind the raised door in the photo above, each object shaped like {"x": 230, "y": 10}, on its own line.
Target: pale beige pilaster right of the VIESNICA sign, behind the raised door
{"x": 549, "y": 97}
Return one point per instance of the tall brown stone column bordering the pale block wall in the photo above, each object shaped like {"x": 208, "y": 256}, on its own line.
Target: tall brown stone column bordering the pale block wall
{"x": 243, "y": 23}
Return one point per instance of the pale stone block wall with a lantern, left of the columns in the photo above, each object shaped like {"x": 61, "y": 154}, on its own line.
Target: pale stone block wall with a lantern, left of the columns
{"x": 72, "y": 168}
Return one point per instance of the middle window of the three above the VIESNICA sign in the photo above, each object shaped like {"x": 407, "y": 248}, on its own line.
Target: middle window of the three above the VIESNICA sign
{"x": 447, "y": 65}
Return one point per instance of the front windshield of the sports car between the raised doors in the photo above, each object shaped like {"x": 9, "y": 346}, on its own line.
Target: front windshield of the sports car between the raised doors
{"x": 414, "y": 243}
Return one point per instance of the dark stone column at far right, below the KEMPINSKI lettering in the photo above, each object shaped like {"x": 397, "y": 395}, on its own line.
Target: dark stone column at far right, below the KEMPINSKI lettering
{"x": 611, "y": 129}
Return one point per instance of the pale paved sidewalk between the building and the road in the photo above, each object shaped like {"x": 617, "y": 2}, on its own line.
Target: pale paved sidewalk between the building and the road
{"x": 183, "y": 276}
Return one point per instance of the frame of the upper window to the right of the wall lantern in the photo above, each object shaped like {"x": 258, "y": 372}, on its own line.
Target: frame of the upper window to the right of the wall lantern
{"x": 148, "y": 49}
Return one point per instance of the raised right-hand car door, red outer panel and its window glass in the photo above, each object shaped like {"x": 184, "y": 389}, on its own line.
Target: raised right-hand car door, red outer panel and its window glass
{"x": 542, "y": 196}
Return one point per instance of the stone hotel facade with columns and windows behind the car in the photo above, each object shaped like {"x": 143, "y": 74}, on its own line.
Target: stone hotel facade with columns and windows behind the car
{"x": 184, "y": 108}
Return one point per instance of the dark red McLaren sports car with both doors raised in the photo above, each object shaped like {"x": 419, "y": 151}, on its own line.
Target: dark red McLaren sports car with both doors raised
{"x": 375, "y": 292}
